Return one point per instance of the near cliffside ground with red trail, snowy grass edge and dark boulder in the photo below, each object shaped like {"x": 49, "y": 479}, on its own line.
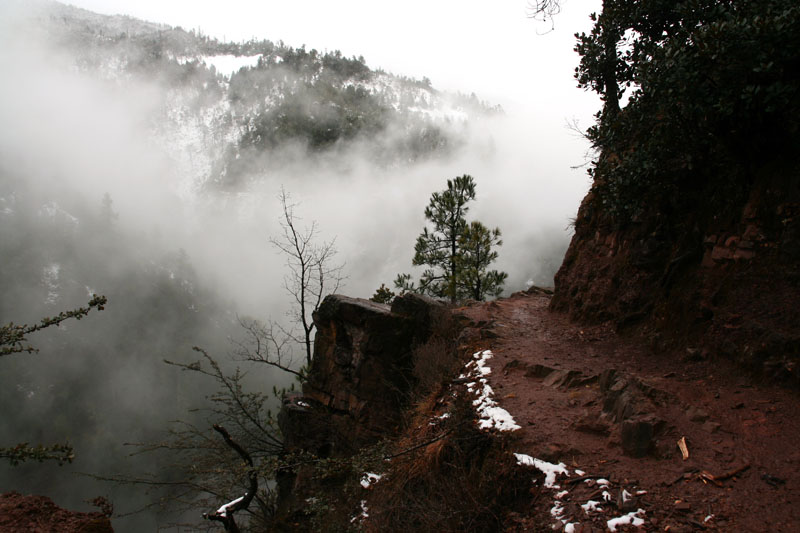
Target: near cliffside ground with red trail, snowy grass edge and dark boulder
{"x": 545, "y": 425}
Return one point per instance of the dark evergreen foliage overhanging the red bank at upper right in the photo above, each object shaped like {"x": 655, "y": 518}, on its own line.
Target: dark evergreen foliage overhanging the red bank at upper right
{"x": 714, "y": 90}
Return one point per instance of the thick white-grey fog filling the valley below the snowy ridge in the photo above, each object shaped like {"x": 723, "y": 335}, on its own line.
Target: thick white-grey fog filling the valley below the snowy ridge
{"x": 94, "y": 198}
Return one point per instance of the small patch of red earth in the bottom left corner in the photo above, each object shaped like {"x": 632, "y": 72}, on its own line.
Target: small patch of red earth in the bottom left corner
{"x": 27, "y": 514}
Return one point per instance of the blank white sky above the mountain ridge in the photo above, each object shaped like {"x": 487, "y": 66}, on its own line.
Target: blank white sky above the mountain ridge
{"x": 488, "y": 47}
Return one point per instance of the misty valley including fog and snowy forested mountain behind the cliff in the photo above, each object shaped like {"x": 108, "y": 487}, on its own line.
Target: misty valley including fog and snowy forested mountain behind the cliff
{"x": 160, "y": 168}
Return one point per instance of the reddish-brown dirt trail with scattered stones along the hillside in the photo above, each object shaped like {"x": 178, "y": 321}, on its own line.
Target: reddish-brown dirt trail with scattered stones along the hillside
{"x": 592, "y": 400}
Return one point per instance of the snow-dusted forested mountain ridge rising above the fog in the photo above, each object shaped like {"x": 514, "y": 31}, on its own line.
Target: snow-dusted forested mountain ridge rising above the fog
{"x": 233, "y": 111}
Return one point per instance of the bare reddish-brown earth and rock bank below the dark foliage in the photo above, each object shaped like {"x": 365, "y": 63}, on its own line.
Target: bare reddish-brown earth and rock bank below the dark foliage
{"x": 726, "y": 284}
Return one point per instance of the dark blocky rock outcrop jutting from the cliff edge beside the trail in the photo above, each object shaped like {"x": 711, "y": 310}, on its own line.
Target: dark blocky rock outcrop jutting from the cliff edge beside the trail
{"x": 360, "y": 375}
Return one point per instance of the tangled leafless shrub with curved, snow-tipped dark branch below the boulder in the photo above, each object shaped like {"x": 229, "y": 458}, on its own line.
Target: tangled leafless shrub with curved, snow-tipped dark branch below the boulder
{"x": 202, "y": 471}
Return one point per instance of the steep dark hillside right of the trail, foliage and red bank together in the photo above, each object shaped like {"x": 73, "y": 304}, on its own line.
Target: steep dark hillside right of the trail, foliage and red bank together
{"x": 690, "y": 231}
